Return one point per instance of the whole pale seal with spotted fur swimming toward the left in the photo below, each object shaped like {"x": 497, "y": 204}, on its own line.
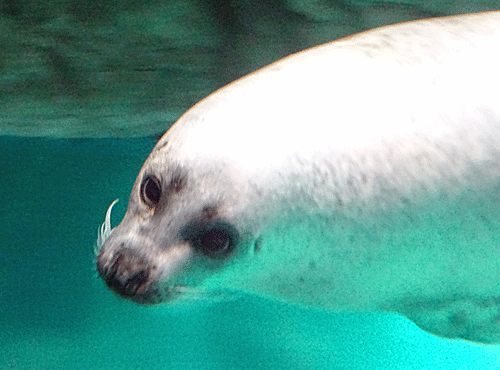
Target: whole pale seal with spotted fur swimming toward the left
{"x": 363, "y": 174}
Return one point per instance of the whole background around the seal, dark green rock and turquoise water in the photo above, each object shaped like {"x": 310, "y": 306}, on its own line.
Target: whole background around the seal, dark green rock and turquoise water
{"x": 87, "y": 76}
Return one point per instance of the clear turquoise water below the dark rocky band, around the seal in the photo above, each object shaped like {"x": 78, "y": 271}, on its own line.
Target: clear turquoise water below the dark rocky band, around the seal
{"x": 55, "y": 313}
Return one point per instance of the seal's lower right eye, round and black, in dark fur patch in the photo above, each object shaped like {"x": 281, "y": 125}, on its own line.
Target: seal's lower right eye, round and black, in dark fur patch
{"x": 216, "y": 240}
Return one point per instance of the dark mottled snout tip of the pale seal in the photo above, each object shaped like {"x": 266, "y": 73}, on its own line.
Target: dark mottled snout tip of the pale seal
{"x": 128, "y": 274}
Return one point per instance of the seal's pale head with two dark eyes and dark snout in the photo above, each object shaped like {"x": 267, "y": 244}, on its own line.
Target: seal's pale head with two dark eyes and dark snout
{"x": 182, "y": 224}
